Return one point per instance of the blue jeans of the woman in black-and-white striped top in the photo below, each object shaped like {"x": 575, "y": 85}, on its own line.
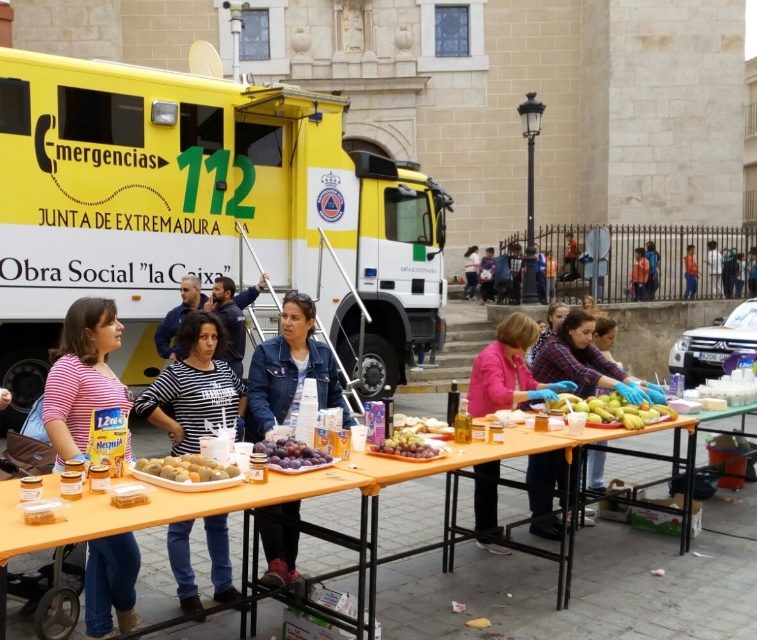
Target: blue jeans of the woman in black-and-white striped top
{"x": 217, "y": 537}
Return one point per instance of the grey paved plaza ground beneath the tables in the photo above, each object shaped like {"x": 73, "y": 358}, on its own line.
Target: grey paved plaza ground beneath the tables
{"x": 707, "y": 594}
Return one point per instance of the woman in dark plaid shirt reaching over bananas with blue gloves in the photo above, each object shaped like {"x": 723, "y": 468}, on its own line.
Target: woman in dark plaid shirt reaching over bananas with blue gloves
{"x": 571, "y": 355}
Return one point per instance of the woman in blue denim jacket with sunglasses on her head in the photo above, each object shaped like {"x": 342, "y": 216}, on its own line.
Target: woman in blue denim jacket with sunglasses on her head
{"x": 274, "y": 389}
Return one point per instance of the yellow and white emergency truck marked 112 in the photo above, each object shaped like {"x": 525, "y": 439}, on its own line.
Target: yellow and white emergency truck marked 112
{"x": 118, "y": 180}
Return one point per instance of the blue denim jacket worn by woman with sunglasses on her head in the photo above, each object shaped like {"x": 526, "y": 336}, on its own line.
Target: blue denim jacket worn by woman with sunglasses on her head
{"x": 272, "y": 383}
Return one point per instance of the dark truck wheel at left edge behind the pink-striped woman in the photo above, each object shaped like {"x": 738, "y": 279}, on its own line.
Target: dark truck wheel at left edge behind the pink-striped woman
{"x": 23, "y": 372}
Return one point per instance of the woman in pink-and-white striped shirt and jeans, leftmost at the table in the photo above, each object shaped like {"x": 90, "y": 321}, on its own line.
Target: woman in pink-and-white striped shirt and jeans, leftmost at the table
{"x": 80, "y": 382}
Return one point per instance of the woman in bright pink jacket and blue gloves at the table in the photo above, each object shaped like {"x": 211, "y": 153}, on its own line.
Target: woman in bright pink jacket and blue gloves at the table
{"x": 500, "y": 379}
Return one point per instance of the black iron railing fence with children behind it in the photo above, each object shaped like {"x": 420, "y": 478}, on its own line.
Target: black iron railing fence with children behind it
{"x": 609, "y": 255}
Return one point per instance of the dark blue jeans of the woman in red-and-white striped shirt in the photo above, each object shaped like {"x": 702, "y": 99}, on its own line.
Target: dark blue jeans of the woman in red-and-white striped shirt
{"x": 109, "y": 580}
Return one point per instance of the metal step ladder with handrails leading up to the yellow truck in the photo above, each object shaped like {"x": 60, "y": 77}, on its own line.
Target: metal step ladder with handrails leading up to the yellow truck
{"x": 259, "y": 311}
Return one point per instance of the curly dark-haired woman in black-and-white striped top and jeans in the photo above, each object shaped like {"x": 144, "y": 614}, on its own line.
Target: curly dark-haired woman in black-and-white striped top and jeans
{"x": 198, "y": 388}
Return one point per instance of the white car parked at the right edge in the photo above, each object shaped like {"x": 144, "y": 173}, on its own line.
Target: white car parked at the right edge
{"x": 700, "y": 353}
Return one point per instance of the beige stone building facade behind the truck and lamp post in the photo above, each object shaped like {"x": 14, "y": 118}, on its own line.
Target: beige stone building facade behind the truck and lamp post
{"x": 644, "y": 119}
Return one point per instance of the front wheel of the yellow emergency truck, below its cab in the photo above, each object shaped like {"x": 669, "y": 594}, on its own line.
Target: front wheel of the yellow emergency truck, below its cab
{"x": 378, "y": 369}
